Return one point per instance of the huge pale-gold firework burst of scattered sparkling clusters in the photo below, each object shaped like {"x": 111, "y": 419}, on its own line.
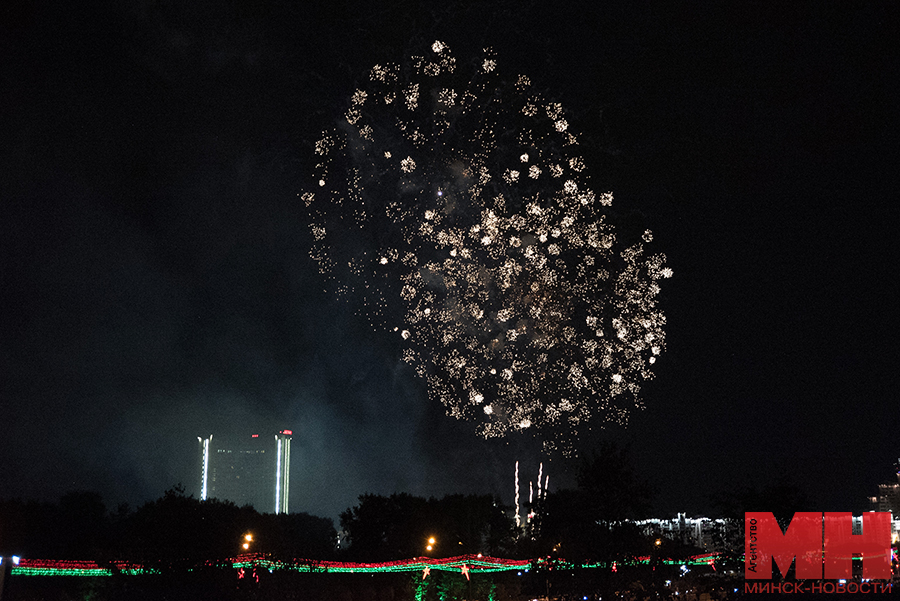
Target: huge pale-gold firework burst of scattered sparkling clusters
{"x": 458, "y": 206}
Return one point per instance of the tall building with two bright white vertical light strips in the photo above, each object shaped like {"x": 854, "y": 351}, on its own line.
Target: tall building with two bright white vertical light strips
{"x": 250, "y": 470}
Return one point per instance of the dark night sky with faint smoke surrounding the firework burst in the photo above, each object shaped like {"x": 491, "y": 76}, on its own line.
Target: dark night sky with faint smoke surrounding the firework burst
{"x": 155, "y": 283}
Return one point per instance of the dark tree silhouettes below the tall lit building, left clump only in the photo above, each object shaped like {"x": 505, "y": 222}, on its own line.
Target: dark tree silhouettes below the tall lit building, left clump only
{"x": 175, "y": 527}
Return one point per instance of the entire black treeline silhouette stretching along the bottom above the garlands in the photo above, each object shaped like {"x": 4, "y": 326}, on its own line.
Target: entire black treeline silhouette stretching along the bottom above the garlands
{"x": 595, "y": 520}
